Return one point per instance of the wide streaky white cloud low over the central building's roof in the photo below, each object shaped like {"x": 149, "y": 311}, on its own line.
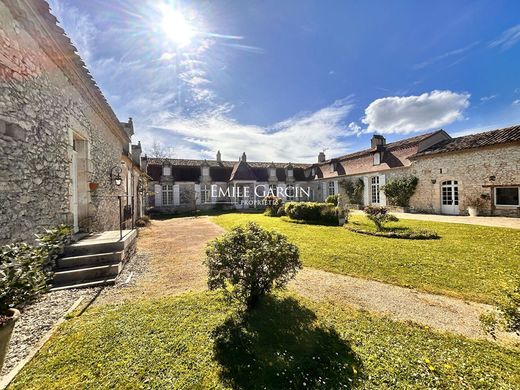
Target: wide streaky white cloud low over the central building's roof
{"x": 297, "y": 139}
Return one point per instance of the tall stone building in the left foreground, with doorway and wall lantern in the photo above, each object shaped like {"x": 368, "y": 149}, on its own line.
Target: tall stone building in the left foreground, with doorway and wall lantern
{"x": 65, "y": 156}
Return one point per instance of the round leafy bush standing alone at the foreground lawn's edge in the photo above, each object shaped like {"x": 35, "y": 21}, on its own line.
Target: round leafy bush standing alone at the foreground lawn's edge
{"x": 249, "y": 261}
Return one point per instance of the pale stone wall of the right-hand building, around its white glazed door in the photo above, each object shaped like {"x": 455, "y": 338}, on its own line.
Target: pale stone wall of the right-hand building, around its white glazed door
{"x": 471, "y": 169}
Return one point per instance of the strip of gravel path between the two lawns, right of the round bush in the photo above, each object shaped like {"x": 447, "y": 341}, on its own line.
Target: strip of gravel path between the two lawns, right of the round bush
{"x": 436, "y": 311}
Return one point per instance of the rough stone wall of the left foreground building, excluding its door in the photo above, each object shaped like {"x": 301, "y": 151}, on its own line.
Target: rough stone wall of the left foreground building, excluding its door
{"x": 41, "y": 111}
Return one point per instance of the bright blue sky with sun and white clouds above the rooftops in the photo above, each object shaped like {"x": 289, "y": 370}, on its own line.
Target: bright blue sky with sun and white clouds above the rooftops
{"x": 283, "y": 80}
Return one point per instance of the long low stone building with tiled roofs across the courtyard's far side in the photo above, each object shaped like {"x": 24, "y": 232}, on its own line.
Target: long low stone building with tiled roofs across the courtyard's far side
{"x": 450, "y": 171}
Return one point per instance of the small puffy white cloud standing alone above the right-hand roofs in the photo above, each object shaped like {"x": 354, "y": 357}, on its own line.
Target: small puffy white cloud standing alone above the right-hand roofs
{"x": 408, "y": 114}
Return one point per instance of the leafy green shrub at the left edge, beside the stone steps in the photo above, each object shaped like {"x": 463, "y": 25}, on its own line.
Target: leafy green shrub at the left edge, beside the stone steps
{"x": 22, "y": 275}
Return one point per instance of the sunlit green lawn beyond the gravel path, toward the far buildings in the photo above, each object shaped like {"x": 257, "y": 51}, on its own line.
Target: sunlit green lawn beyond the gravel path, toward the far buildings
{"x": 468, "y": 261}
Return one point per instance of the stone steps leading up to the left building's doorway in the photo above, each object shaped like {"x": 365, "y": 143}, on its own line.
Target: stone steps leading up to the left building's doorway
{"x": 92, "y": 261}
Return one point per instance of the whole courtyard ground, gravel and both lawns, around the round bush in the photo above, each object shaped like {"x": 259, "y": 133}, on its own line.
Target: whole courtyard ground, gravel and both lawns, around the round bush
{"x": 364, "y": 312}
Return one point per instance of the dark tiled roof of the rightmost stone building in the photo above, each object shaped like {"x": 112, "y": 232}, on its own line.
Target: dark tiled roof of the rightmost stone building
{"x": 488, "y": 138}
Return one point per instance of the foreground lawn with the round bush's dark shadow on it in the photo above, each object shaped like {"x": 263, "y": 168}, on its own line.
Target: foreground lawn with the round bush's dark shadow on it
{"x": 196, "y": 341}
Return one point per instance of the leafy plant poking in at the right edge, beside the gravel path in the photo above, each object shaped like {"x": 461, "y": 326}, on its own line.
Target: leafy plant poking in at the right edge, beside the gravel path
{"x": 508, "y": 317}
